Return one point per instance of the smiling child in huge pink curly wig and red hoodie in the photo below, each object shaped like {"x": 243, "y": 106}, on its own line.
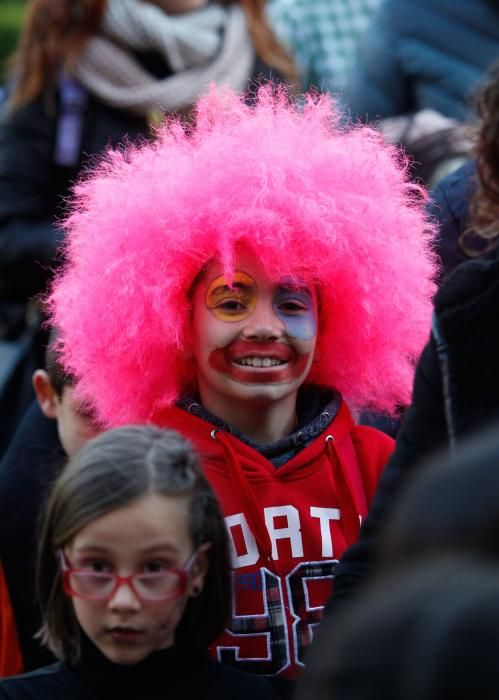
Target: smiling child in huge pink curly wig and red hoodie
{"x": 261, "y": 270}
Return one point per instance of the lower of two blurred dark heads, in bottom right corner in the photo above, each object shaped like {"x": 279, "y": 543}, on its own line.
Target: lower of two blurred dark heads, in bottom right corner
{"x": 427, "y": 631}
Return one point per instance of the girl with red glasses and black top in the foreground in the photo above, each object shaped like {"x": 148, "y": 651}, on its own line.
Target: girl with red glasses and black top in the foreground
{"x": 133, "y": 577}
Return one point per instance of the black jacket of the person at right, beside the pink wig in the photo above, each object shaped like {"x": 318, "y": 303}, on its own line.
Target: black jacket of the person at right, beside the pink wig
{"x": 455, "y": 393}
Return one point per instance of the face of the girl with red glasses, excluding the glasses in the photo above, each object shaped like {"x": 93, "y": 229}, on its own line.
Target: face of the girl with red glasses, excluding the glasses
{"x": 148, "y": 535}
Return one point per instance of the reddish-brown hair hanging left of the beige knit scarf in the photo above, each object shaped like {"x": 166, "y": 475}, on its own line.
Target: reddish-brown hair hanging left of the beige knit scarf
{"x": 53, "y": 35}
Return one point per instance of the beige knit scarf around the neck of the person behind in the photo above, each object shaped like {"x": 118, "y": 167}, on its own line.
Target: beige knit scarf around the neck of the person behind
{"x": 208, "y": 45}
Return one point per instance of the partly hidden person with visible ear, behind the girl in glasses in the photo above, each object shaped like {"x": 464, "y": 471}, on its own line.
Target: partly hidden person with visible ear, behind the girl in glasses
{"x": 54, "y": 426}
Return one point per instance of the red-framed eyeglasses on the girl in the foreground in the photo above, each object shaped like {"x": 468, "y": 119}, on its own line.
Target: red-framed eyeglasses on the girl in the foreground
{"x": 94, "y": 585}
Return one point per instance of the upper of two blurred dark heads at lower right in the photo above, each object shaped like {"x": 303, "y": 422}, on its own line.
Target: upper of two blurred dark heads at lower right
{"x": 460, "y": 492}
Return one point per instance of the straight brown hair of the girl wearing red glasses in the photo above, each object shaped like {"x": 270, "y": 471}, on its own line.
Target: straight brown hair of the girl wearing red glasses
{"x": 110, "y": 471}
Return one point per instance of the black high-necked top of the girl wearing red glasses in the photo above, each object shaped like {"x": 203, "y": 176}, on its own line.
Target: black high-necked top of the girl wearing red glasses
{"x": 169, "y": 673}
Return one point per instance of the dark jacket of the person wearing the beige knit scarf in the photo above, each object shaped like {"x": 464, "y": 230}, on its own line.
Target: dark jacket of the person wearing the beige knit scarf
{"x": 34, "y": 186}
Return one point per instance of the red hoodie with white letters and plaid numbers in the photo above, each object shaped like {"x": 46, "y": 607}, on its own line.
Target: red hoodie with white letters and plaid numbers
{"x": 288, "y": 526}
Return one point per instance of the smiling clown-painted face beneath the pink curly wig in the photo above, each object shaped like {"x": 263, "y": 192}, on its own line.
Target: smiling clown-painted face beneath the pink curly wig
{"x": 253, "y": 339}
